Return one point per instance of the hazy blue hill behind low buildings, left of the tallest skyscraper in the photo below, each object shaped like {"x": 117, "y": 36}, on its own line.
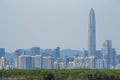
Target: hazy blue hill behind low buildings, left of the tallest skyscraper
{"x": 70, "y": 52}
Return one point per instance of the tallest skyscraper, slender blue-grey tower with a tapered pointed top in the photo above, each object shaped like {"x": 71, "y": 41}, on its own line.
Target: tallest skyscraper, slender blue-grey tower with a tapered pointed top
{"x": 92, "y": 34}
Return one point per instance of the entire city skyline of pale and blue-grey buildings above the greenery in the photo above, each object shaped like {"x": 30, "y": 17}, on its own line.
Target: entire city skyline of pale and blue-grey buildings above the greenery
{"x": 36, "y": 58}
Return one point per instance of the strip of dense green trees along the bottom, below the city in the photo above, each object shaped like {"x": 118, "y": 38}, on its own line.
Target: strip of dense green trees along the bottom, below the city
{"x": 54, "y": 74}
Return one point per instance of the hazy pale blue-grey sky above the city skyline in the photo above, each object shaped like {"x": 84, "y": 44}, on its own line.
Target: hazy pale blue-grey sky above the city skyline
{"x": 52, "y": 23}
